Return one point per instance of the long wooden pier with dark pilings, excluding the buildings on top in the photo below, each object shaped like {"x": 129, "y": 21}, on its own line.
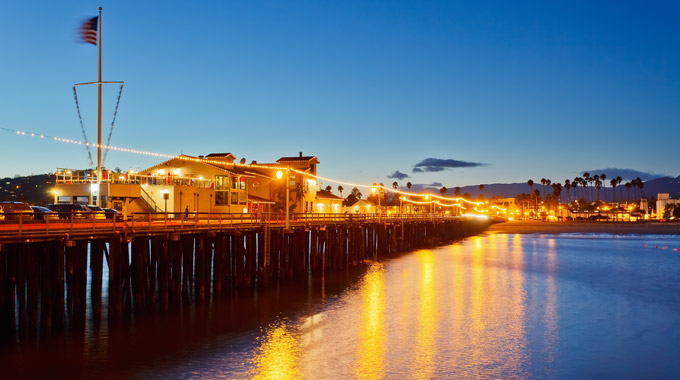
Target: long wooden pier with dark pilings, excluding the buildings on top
{"x": 161, "y": 265}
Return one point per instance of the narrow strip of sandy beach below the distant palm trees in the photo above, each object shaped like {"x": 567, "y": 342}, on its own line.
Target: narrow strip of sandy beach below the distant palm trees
{"x": 616, "y": 228}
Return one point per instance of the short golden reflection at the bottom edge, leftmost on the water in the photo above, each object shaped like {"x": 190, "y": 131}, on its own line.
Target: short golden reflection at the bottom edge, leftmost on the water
{"x": 279, "y": 355}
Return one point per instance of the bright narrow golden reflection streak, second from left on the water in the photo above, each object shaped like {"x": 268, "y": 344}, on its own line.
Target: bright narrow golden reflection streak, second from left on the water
{"x": 370, "y": 352}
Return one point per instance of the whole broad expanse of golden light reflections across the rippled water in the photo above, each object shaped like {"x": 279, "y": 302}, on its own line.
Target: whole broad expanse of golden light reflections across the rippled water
{"x": 463, "y": 309}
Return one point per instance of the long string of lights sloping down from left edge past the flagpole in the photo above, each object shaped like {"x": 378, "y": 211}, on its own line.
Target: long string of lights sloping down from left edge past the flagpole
{"x": 252, "y": 166}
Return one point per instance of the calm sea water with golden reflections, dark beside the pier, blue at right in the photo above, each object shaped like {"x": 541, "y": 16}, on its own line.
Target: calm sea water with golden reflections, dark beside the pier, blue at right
{"x": 494, "y": 306}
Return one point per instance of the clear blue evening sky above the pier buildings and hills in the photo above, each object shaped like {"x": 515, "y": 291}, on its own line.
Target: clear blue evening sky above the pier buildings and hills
{"x": 530, "y": 89}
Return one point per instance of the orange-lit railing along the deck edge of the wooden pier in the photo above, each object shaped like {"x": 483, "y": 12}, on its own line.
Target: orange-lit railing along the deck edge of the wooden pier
{"x": 90, "y": 224}
